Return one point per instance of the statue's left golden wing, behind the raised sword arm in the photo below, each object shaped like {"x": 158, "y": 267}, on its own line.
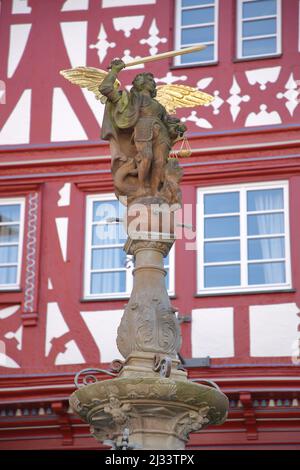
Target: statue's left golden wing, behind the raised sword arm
{"x": 88, "y": 77}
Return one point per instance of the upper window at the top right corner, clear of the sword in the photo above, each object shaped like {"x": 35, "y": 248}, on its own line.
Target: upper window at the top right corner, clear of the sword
{"x": 259, "y": 28}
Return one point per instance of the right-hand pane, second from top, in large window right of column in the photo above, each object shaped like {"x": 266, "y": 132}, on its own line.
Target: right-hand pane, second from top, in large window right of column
{"x": 265, "y": 224}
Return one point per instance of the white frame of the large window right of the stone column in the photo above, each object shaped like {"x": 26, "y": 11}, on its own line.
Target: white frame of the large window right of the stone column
{"x": 243, "y": 237}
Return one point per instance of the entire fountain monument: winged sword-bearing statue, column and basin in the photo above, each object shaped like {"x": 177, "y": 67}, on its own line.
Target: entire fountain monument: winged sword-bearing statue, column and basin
{"x": 148, "y": 403}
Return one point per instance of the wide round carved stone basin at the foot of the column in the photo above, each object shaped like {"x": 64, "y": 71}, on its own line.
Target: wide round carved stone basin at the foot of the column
{"x": 159, "y": 412}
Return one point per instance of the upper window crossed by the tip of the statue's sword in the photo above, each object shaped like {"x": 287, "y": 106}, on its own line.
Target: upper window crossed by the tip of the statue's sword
{"x": 196, "y": 23}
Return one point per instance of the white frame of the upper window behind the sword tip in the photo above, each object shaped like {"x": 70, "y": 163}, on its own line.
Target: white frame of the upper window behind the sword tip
{"x": 179, "y": 27}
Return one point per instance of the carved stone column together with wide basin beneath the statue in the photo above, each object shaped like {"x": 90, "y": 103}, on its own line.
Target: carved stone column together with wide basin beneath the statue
{"x": 151, "y": 398}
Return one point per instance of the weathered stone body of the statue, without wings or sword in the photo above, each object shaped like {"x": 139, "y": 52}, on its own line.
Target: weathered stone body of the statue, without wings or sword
{"x": 141, "y": 134}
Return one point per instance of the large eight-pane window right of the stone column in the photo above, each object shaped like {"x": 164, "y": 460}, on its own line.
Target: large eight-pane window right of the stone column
{"x": 243, "y": 240}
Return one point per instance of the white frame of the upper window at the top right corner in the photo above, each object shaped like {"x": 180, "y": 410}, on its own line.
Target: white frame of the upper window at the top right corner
{"x": 240, "y": 30}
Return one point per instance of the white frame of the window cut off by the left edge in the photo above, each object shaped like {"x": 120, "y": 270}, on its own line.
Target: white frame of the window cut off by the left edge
{"x": 21, "y": 202}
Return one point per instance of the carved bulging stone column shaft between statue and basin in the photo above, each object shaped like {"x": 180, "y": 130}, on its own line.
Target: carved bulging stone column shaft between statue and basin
{"x": 149, "y": 326}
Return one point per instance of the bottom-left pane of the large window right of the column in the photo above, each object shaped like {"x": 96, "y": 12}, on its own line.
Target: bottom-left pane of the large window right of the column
{"x": 221, "y": 276}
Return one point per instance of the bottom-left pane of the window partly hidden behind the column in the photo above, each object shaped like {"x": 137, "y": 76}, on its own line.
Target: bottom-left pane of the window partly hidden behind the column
{"x": 102, "y": 283}
